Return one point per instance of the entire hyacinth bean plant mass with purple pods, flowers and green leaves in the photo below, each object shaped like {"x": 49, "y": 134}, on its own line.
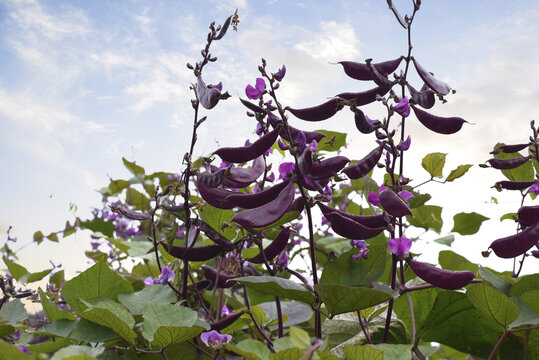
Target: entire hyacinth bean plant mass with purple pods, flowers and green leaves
{"x": 260, "y": 251}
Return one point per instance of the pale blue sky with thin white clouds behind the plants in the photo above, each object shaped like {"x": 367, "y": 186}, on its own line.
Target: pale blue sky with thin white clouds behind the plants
{"x": 83, "y": 83}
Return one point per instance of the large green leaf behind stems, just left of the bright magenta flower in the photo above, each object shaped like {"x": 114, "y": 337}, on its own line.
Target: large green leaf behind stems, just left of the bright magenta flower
{"x": 349, "y": 271}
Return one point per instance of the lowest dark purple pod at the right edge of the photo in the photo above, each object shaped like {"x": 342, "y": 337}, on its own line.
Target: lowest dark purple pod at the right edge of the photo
{"x": 515, "y": 245}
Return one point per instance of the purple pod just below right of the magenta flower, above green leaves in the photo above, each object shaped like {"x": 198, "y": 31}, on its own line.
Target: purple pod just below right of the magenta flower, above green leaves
{"x": 445, "y": 279}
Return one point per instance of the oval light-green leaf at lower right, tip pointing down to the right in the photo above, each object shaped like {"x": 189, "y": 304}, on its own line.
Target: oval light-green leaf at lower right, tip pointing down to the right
{"x": 493, "y": 303}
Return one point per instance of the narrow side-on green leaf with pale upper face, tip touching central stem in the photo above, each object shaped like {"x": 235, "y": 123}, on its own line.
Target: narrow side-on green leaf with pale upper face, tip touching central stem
{"x": 276, "y": 286}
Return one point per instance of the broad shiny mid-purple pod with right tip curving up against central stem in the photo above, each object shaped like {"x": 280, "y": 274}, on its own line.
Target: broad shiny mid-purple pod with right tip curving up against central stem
{"x": 268, "y": 213}
